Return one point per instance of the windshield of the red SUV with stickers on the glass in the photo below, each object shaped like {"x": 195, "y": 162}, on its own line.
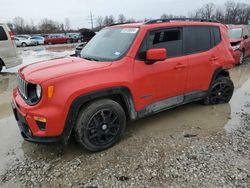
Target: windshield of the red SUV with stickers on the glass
{"x": 109, "y": 44}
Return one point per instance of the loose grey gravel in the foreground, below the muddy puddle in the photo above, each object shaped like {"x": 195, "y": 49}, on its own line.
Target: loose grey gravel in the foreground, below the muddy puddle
{"x": 219, "y": 160}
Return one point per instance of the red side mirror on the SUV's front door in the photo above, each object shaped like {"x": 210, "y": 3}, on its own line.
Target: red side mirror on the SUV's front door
{"x": 157, "y": 54}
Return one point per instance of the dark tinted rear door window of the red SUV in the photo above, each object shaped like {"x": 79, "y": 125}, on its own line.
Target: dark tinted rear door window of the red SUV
{"x": 197, "y": 39}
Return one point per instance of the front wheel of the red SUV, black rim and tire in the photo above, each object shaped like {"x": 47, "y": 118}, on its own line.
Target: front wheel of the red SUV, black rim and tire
{"x": 100, "y": 125}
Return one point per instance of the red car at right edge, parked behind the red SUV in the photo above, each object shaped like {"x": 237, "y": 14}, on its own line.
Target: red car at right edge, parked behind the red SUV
{"x": 240, "y": 40}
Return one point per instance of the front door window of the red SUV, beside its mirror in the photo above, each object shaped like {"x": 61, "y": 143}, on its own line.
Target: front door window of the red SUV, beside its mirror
{"x": 171, "y": 39}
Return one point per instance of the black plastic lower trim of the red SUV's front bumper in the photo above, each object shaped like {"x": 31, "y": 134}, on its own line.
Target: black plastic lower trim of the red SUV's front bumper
{"x": 26, "y": 131}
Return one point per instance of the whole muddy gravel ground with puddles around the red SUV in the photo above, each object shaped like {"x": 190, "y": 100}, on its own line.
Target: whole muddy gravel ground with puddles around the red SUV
{"x": 189, "y": 146}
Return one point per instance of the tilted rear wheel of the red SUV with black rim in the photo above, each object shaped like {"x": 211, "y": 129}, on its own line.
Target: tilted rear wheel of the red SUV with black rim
{"x": 220, "y": 91}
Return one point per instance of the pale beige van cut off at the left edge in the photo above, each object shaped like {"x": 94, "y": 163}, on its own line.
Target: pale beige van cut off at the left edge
{"x": 8, "y": 52}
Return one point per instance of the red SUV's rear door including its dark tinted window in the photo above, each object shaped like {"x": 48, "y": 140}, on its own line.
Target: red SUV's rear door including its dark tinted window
{"x": 201, "y": 55}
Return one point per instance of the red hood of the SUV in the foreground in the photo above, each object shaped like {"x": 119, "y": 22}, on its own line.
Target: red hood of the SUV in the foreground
{"x": 45, "y": 70}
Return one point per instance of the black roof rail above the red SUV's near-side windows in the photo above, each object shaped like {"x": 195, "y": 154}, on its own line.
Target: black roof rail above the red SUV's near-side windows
{"x": 180, "y": 19}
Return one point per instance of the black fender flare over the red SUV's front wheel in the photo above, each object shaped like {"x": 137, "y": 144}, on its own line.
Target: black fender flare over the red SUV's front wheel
{"x": 79, "y": 101}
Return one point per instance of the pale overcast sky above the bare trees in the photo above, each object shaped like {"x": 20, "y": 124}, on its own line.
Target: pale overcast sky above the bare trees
{"x": 78, "y": 11}
